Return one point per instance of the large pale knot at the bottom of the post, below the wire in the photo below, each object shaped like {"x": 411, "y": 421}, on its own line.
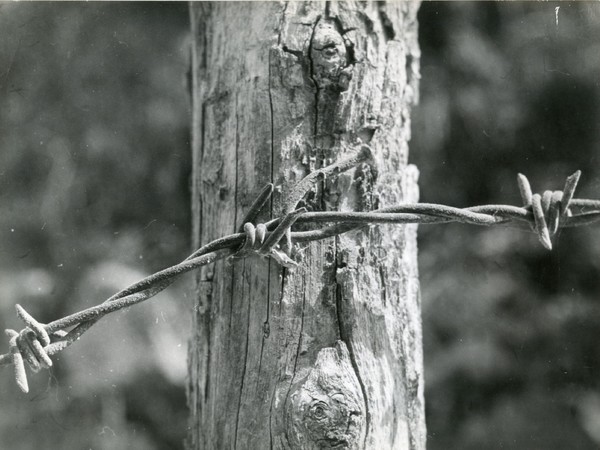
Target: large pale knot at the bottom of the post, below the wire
{"x": 326, "y": 410}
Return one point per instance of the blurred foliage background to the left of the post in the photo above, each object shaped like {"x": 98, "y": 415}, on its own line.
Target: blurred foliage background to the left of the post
{"x": 94, "y": 167}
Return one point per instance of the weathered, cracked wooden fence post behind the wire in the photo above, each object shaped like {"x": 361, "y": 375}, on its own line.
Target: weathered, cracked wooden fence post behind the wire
{"x": 328, "y": 354}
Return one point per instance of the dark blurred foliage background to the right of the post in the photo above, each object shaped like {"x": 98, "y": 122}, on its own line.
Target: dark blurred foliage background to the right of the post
{"x": 510, "y": 329}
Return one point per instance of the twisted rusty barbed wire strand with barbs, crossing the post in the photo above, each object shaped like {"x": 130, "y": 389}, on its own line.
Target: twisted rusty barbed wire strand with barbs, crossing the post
{"x": 545, "y": 214}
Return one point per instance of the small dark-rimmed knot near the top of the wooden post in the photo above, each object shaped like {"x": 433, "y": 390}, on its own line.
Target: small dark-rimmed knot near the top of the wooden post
{"x": 329, "y": 56}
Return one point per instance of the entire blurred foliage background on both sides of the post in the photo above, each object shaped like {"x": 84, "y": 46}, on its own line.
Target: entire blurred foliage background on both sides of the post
{"x": 94, "y": 194}
